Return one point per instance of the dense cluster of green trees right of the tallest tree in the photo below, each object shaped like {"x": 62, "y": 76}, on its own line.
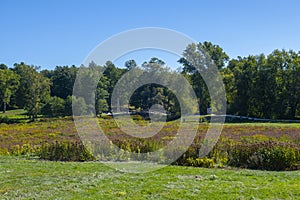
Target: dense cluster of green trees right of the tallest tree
{"x": 264, "y": 86}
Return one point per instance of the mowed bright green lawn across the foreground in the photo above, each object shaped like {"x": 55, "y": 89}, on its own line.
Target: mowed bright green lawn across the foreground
{"x": 22, "y": 178}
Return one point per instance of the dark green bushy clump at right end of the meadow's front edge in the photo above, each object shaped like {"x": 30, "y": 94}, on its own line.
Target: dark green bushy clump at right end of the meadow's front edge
{"x": 265, "y": 156}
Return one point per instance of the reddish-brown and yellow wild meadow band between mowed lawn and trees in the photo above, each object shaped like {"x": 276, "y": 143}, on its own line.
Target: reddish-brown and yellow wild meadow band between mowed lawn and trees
{"x": 257, "y": 146}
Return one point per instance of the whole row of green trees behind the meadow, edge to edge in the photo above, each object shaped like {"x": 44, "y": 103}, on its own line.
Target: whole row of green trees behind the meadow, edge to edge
{"x": 262, "y": 86}
